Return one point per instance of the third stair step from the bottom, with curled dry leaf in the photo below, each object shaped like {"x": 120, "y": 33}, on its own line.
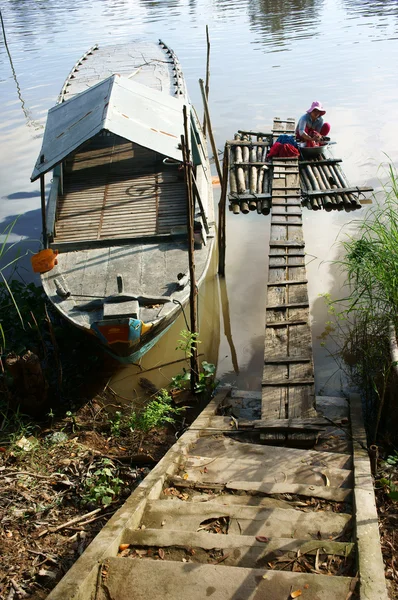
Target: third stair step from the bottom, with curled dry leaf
{"x": 244, "y": 520}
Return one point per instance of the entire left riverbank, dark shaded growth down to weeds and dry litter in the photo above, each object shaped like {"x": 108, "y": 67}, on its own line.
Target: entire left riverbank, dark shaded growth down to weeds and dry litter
{"x": 71, "y": 448}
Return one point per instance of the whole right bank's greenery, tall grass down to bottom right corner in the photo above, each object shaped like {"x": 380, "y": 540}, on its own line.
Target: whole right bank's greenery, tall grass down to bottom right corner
{"x": 363, "y": 326}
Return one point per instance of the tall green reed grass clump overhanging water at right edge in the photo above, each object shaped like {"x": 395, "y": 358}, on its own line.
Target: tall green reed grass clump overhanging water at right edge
{"x": 370, "y": 264}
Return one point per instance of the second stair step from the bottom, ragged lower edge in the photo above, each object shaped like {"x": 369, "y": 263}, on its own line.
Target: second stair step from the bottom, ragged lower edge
{"x": 238, "y": 550}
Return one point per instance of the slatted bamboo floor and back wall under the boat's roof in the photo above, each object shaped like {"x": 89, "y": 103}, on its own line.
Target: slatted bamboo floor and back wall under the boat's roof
{"x": 114, "y": 189}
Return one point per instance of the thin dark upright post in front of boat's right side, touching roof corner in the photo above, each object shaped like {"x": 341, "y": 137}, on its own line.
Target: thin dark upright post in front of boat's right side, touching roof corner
{"x": 191, "y": 250}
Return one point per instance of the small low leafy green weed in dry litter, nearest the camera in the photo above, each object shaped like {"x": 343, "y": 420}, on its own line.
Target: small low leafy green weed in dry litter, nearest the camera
{"x": 103, "y": 485}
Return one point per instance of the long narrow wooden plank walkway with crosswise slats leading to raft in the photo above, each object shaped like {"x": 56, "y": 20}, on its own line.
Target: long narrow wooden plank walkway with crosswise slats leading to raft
{"x": 288, "y": 376}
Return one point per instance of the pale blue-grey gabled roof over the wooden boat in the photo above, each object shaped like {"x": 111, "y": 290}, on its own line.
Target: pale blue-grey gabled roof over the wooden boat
{"x": 131, "y": 110}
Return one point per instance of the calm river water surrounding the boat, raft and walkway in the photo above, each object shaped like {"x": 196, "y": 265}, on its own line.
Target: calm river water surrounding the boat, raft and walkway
{"x": 268, "y": 58}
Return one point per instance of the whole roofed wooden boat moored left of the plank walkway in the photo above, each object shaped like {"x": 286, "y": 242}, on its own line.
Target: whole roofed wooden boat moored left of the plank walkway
{"x": 117, "y": 208}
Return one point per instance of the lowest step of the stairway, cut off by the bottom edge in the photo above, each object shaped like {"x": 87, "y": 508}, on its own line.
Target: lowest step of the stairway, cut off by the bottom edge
{"x": 124, "y": 578}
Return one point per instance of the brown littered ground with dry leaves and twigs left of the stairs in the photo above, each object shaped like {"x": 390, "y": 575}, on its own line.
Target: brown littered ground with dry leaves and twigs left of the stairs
{"x": 58, "y": 488}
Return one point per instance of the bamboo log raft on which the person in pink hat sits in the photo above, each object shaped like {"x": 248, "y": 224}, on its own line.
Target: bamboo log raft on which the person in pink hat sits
{"x": 323, "y": 184}
